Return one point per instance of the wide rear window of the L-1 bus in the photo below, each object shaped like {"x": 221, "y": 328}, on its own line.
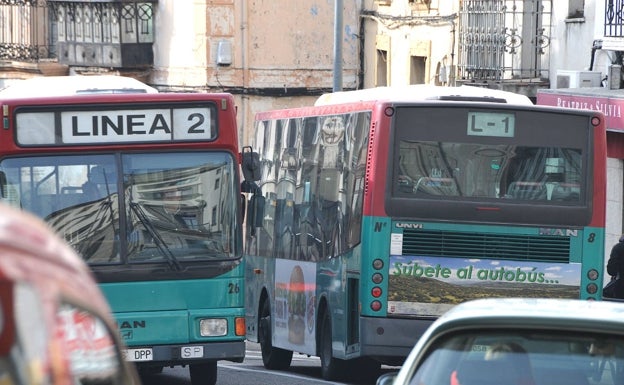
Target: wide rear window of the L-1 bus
{"x": 481, "y": 170}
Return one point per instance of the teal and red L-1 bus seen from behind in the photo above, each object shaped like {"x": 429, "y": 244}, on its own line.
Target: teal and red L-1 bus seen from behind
{"x": 375, "y": 211}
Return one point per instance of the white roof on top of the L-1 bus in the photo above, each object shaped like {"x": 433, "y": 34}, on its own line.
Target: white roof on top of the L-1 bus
{"x": 419, "y": 92}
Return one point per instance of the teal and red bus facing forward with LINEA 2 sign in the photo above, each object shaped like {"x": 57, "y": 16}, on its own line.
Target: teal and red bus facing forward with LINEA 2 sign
{"x": 145, "y": 187}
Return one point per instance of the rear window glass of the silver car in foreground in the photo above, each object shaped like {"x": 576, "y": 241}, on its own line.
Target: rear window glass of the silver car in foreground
{"x": 546, "y": 358}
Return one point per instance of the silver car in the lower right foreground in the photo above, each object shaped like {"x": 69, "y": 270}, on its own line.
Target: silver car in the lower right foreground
{"x": 518, "y": 341}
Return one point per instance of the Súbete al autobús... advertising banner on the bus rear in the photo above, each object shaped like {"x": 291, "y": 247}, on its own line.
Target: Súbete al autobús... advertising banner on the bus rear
{"x": 429, "y": 286}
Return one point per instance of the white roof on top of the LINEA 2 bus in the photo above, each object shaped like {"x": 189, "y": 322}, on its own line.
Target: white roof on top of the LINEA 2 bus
{"x": 74, "y": 85}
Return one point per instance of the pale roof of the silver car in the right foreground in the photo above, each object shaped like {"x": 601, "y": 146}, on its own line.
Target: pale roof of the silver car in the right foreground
{"x": 544, "y": 313}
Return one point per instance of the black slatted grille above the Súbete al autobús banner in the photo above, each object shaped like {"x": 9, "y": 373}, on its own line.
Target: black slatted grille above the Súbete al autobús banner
{"x": 487, "y": 246}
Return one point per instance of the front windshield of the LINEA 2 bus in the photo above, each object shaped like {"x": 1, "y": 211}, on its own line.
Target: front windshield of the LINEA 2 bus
{"x": 176, "y": 206}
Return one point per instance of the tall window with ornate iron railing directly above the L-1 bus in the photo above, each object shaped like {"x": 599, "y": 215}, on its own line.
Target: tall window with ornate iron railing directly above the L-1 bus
{"x": 504, "y": 40}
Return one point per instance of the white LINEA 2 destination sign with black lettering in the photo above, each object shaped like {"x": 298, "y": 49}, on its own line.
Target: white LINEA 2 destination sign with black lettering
{"x": 115, "y": 126}
